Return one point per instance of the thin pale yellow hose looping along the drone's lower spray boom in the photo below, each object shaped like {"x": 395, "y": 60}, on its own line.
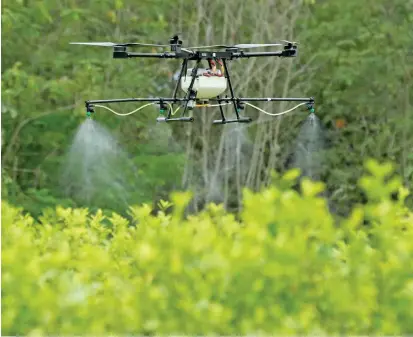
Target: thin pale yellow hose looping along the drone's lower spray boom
{"x": 310, "y": 107}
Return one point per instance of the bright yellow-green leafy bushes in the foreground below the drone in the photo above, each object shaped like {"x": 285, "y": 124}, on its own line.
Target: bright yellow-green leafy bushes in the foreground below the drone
{"x": 286, "y": 266}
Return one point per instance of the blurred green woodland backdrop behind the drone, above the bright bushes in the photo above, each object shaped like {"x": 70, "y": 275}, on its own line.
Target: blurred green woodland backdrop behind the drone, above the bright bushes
{"x": 355, "y": 58}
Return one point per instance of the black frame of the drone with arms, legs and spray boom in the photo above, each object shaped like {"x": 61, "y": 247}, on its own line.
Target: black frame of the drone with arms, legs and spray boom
{"x": 178, "y": 52}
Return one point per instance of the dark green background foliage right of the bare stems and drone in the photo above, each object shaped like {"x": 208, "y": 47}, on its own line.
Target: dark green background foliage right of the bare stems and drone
{"x": 364, "y": 75}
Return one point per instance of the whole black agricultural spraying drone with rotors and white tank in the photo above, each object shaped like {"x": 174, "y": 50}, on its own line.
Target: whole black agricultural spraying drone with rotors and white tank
{"x": 200, "y": 85}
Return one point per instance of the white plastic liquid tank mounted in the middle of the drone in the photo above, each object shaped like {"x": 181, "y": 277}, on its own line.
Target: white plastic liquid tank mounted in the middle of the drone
{"x": 206, "y": 87}
